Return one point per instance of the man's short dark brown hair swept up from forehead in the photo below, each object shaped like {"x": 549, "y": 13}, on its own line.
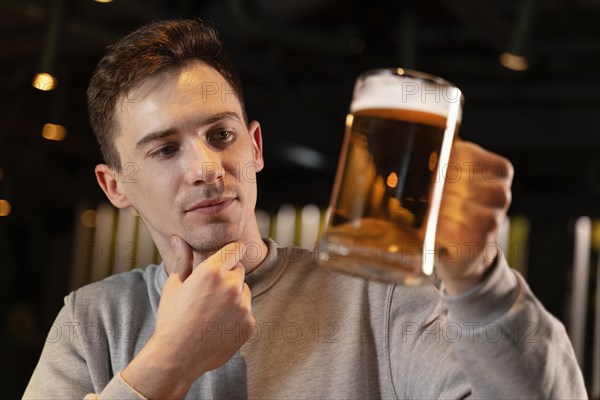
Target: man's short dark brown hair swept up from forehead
{"x": 147, "y": 51}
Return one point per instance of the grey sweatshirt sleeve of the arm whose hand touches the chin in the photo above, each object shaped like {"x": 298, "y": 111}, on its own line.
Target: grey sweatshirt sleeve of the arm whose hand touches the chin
{"x": 62, "y": 371}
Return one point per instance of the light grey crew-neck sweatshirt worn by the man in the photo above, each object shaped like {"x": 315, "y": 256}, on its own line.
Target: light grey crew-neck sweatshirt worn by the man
{"x": 323, "y": 335}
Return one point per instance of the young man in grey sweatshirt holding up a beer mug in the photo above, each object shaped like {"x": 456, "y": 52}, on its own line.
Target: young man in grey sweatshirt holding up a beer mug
{"x": 229, "y": 314}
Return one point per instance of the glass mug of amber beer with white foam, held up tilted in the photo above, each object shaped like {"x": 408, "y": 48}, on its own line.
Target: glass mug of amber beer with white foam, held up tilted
{"x": 386, "y": 197}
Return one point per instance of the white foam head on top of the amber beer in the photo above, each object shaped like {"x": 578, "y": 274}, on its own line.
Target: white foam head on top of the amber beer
{"x": 404, "y": 92}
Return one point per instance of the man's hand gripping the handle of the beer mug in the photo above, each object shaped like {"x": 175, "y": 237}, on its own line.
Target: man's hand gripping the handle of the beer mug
{"x": 476, "y": 197}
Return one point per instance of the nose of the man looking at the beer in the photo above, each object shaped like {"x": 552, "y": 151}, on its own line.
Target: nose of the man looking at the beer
{"x": 204, "y": 164}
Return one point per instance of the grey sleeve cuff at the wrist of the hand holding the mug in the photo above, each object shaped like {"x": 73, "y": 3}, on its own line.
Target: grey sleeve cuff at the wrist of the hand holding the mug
{"x": 487, "y": 301}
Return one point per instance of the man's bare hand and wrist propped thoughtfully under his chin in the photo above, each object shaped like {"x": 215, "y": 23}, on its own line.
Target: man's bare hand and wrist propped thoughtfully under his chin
{"x": 197, "y": 306}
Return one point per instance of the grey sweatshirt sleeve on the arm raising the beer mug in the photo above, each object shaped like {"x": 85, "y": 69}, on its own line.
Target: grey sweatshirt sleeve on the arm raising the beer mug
{"x": 510, "y": 346}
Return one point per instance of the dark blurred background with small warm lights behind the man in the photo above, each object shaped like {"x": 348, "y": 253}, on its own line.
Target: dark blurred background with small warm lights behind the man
{"x": 528, "y": 69}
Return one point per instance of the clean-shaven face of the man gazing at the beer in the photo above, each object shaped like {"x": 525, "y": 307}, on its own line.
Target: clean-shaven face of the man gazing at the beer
{"x": 189, "y": 160}
